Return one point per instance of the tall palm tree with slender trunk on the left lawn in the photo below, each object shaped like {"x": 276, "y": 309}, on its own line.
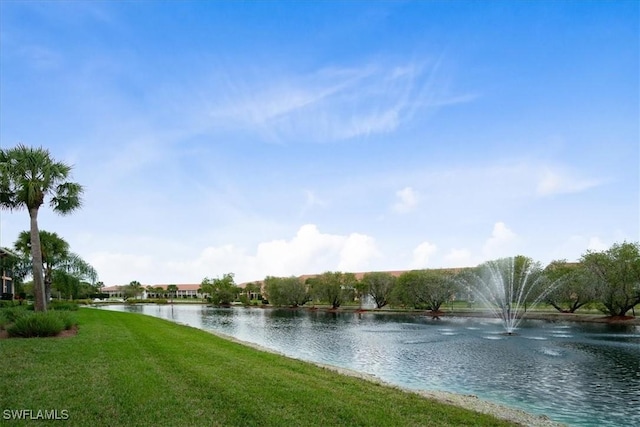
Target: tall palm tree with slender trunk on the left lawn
{"x": 27, "y": 177}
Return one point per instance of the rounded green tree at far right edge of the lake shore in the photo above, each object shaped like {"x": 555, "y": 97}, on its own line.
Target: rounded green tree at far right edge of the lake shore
{"x": 616, "y": 272}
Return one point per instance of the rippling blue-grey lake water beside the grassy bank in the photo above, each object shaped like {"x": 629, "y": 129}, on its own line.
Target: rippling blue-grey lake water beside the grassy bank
{"x": 576, "y": 373}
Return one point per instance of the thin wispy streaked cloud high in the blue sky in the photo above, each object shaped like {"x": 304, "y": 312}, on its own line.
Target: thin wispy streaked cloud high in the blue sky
{"x": 333, "y": 103}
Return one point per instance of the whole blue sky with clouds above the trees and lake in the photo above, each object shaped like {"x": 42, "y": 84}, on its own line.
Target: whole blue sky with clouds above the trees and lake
{"x": 280, "y": 138}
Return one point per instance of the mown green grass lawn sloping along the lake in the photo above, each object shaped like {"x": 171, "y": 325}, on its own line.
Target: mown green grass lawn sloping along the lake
{"x": 126, "y": 369}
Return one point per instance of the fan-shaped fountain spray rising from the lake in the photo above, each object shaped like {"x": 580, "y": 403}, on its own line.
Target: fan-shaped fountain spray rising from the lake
{"x": 508, "y": 287}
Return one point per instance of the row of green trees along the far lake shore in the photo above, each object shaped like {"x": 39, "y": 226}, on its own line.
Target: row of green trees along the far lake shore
{"x": 608, "y": 280}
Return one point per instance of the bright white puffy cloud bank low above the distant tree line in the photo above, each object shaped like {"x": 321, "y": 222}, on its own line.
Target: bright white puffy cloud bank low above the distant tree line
{"x": 309, "y": 251}
